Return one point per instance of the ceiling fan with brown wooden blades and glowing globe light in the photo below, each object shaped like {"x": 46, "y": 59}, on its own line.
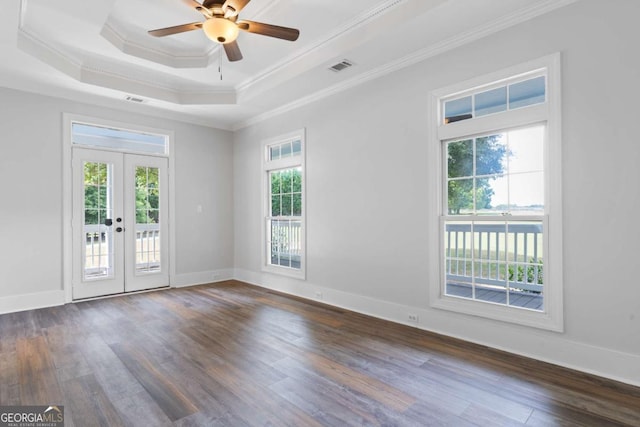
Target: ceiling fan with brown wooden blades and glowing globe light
{"x": 222, "y": 25}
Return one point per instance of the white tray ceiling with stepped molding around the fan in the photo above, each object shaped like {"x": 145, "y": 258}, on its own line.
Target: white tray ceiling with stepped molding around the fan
{"x": 100, "y": 52}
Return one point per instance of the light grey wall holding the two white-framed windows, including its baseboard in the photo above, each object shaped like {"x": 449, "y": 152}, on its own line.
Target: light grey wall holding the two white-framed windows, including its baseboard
{"x": 367, "y": 206}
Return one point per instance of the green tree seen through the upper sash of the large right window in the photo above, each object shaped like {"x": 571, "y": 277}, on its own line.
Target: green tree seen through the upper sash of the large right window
{"x": 489, "y": 154}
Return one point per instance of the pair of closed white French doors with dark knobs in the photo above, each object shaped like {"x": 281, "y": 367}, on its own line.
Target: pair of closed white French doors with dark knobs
{"x": 120, "y": 233}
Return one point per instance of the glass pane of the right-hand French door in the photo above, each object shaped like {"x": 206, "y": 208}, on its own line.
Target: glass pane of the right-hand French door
{"x": 147, "y": 230}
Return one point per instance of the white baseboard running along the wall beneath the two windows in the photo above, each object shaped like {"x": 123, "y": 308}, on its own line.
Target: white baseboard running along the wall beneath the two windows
{"x": 545, "y": 346}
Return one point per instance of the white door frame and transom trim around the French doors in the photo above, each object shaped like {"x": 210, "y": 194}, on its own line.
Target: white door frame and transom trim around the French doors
{"x": 67, "y": 191}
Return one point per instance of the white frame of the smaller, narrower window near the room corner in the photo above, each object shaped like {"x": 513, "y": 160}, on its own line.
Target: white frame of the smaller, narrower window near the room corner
{"x": 268, "y": 166}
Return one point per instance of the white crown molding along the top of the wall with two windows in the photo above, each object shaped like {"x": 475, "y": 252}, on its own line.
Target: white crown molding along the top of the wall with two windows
{"x": 472, "y": 35}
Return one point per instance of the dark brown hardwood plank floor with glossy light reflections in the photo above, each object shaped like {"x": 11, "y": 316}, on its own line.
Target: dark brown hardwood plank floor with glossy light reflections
{"x": 231, "y": 354}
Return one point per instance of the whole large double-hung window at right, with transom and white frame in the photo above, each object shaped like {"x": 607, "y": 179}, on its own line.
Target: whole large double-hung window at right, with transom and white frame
{"x": 499, "y": 238}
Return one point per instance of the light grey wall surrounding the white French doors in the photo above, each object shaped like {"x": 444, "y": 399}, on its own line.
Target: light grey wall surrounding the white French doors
{"x": 31, "y": 169}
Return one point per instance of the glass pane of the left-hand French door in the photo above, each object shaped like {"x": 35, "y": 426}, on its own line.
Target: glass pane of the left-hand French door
{"x": 97, "y": 234}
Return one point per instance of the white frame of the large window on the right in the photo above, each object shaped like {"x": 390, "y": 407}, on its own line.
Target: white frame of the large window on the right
{"x": 551, "y": 318}
